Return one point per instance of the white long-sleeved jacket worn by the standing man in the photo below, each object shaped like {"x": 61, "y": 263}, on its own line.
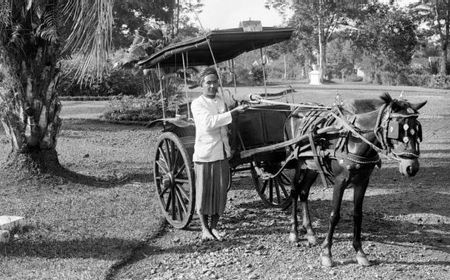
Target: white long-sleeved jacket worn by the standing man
{"x": 211, "y": 120}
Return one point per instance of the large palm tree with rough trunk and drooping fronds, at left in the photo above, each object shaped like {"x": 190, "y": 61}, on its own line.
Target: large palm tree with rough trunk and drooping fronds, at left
{"x": 34, "y": 36}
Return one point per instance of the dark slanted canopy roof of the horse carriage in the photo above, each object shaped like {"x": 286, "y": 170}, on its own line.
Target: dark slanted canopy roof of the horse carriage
{"x": 225, "y": 44}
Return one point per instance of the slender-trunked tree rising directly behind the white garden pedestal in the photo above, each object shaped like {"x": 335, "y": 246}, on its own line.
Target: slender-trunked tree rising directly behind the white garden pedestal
{"x": 319, "y": 18}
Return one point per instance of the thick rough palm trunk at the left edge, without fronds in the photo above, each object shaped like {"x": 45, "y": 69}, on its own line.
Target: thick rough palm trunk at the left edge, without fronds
{"x": 30, "y": 109}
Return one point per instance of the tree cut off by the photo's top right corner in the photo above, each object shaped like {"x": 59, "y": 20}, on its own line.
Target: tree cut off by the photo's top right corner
{"x": 435, "y": 14}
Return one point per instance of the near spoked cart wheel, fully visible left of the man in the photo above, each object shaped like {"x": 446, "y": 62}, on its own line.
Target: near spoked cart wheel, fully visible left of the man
{"x": 174, "y": 180}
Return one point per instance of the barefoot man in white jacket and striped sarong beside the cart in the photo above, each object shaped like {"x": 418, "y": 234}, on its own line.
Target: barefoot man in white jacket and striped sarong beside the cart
{"x": 211, "y": 153}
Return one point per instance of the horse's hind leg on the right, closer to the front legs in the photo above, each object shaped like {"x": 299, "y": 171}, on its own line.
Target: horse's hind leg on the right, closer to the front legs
{"x": 308, "y": 180}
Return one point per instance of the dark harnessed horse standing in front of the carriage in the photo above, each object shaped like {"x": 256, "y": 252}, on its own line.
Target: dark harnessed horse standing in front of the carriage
{"x": 346, "y": 155}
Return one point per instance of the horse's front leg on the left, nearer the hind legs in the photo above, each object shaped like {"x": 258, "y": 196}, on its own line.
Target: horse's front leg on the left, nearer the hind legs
{"x": 338, "y": 191}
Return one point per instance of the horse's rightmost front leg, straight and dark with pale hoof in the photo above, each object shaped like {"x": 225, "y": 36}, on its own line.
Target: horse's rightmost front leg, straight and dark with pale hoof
{"x": 358, "y": 198}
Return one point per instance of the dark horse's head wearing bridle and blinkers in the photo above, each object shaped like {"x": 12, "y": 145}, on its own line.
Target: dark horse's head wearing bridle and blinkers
{"x": 400, "y": 133}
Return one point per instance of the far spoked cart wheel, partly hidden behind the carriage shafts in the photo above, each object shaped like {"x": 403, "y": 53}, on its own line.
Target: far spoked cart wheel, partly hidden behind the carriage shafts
{"x": 274, "y": 192}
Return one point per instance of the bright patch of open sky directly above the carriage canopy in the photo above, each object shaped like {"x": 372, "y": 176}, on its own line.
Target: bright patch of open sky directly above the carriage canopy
{"x": 220, "y": 14}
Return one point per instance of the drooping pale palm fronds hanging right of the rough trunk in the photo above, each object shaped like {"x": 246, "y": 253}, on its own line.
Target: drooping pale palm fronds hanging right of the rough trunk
{"x": 91, "y": 33}
